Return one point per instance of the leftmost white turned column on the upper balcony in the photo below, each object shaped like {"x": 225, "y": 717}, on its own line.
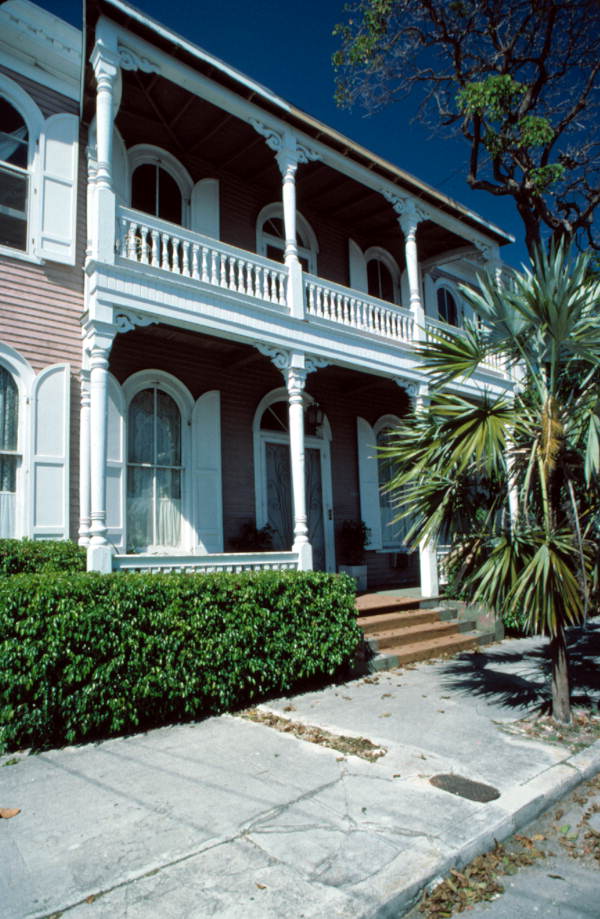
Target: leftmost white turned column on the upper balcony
{"x": 105, "y": 62}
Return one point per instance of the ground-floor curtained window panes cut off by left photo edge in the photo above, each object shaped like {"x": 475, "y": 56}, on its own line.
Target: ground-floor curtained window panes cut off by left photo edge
{"x": 9, "y": 423}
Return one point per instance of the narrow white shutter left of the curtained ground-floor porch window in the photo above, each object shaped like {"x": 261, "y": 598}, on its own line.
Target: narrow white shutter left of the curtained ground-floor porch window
{"x": 115, "y": 465}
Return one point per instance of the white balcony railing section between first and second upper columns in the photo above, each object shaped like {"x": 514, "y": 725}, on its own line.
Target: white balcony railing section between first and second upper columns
{"x": 147, "y": 240}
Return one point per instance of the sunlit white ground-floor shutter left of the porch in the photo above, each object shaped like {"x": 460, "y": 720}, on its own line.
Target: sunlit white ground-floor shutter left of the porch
{"x": 50, "y": 465}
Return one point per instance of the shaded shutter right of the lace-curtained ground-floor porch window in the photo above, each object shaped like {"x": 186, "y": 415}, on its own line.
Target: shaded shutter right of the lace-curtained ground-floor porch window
{"x": 208, "y": 503}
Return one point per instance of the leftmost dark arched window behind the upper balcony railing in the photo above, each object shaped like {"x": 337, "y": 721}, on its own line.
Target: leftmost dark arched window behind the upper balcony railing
{"x": 160, "y": 185}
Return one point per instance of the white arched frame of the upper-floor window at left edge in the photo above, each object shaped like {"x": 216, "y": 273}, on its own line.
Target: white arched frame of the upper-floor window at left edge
{"x": 34, "y": 120}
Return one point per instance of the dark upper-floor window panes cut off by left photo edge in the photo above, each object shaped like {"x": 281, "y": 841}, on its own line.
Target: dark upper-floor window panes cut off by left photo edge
{"x": 14, "y": 178}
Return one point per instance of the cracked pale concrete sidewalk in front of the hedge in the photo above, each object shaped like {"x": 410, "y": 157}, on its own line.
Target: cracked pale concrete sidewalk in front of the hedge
{"x": 230, "y": 818}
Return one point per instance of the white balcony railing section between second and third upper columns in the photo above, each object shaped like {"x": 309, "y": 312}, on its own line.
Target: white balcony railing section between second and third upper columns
{"x": 326, "y": 300}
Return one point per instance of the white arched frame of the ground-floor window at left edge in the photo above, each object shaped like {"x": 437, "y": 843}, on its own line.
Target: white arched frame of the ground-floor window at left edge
{"x": 23, "y": 376}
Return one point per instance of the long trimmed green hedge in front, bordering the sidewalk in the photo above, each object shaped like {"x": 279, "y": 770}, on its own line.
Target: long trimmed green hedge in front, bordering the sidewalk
{"x": 90, "y": 655}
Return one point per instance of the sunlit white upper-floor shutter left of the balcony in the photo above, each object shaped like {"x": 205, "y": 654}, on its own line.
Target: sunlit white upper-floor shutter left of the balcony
{"x": 58, "y": 189}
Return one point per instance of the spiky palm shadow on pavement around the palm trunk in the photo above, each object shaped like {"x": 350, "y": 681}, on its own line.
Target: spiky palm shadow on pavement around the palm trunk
{"x": 520, "y": 677}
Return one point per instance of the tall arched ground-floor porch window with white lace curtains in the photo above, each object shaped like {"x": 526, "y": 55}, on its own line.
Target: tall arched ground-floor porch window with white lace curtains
{"x": 154, "y": 471}
